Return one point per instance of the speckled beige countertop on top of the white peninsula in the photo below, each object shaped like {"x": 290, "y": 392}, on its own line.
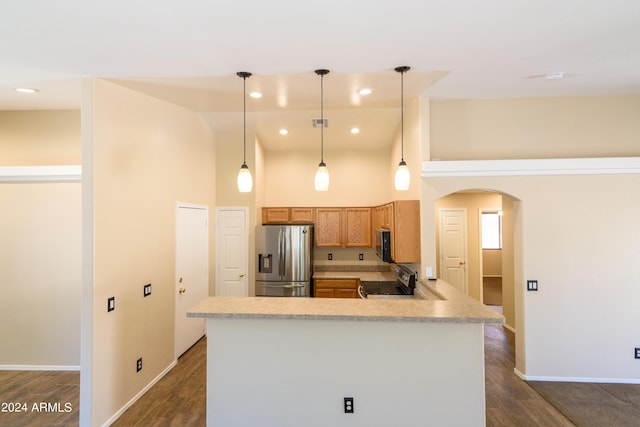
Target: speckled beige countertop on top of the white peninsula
{"x": 456, "y": 308}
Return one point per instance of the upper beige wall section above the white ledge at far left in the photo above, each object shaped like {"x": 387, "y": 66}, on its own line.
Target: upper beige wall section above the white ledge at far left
{"x": 29, "y": 138}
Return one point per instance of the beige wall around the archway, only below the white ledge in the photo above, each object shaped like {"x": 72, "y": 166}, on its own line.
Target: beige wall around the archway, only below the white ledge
{"x": 576, "y": 235}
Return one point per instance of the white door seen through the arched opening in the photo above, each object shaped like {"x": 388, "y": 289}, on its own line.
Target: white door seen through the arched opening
{"x": 453, "y": 247}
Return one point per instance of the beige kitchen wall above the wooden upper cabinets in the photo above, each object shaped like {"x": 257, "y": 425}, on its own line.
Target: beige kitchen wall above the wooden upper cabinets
{"x": 358, "y": 177}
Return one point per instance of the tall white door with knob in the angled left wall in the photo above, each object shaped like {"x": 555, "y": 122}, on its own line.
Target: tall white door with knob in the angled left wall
{"x": 192, "y": 272}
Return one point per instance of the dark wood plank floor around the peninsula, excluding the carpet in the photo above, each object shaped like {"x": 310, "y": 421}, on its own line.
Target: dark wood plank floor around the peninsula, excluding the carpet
{"x": 178, "y": 399}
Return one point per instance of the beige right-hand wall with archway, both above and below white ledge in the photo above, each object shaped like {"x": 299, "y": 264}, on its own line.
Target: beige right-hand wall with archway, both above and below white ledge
{"x": 576, "y": 235}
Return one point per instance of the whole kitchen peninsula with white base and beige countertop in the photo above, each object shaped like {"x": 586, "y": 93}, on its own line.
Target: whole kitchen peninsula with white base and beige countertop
{"x": 292, "y": 361}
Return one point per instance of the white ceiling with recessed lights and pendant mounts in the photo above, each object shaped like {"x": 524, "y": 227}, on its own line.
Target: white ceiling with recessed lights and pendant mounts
{"x": 188, "y": 52}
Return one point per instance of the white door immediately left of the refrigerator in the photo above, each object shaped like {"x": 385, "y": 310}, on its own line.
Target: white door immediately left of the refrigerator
{"x": 232, "y": 252}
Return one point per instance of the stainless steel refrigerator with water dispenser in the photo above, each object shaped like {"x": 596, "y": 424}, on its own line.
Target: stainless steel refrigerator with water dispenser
{"x": 285, "y": 260}
